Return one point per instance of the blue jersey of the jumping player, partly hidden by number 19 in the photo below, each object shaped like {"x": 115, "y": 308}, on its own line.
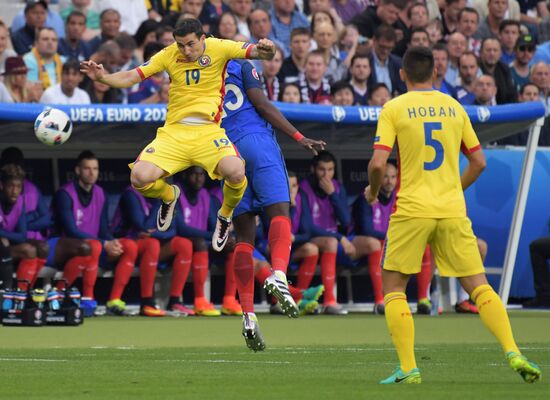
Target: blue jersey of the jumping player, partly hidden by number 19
{"x": 241, "y": 118}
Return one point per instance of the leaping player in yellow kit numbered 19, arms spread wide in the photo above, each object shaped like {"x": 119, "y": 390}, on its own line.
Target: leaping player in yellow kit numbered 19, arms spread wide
{"x": 192, "y": 134}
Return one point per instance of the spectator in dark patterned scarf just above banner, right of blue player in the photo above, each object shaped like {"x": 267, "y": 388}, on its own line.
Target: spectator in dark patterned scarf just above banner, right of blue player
{"x": 315, "y": 89}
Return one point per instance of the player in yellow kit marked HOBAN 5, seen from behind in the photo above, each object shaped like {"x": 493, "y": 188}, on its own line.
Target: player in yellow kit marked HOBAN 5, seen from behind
{"x": 429, "y": 130}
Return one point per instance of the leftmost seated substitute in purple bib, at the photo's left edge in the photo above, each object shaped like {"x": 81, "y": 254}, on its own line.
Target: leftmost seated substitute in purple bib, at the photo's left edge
{"x": 13, "y": 225}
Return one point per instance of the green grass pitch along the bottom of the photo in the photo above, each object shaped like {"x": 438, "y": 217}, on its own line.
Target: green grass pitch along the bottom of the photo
{"x": 316, "y": 357}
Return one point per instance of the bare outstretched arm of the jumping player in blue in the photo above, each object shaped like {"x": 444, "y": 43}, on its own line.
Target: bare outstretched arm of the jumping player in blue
{"x": 272, "y": 115}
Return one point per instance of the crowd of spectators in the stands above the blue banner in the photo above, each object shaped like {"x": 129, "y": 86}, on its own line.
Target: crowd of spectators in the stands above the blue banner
{"x": 341, "y": 52}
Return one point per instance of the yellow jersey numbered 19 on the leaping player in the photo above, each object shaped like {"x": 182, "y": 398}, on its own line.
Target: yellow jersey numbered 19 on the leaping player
{"x": 197, "y": 88}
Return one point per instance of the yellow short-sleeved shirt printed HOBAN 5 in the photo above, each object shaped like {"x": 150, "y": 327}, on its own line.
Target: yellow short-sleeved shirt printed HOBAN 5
{"x": 430, "y": 129}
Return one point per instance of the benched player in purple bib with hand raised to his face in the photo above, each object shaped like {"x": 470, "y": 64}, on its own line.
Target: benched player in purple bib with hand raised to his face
{"x": 327, "y": 200}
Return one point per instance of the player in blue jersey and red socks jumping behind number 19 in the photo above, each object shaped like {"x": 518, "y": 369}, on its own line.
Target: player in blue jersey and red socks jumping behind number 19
{"x": 249, "y": 125}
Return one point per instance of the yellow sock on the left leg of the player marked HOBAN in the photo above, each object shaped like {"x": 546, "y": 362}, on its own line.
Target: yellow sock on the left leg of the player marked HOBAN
{"x": 401, "y": 327}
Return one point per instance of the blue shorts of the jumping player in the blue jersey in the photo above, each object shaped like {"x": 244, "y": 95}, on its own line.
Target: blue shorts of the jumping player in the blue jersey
{"x": 265, "y": 171}
